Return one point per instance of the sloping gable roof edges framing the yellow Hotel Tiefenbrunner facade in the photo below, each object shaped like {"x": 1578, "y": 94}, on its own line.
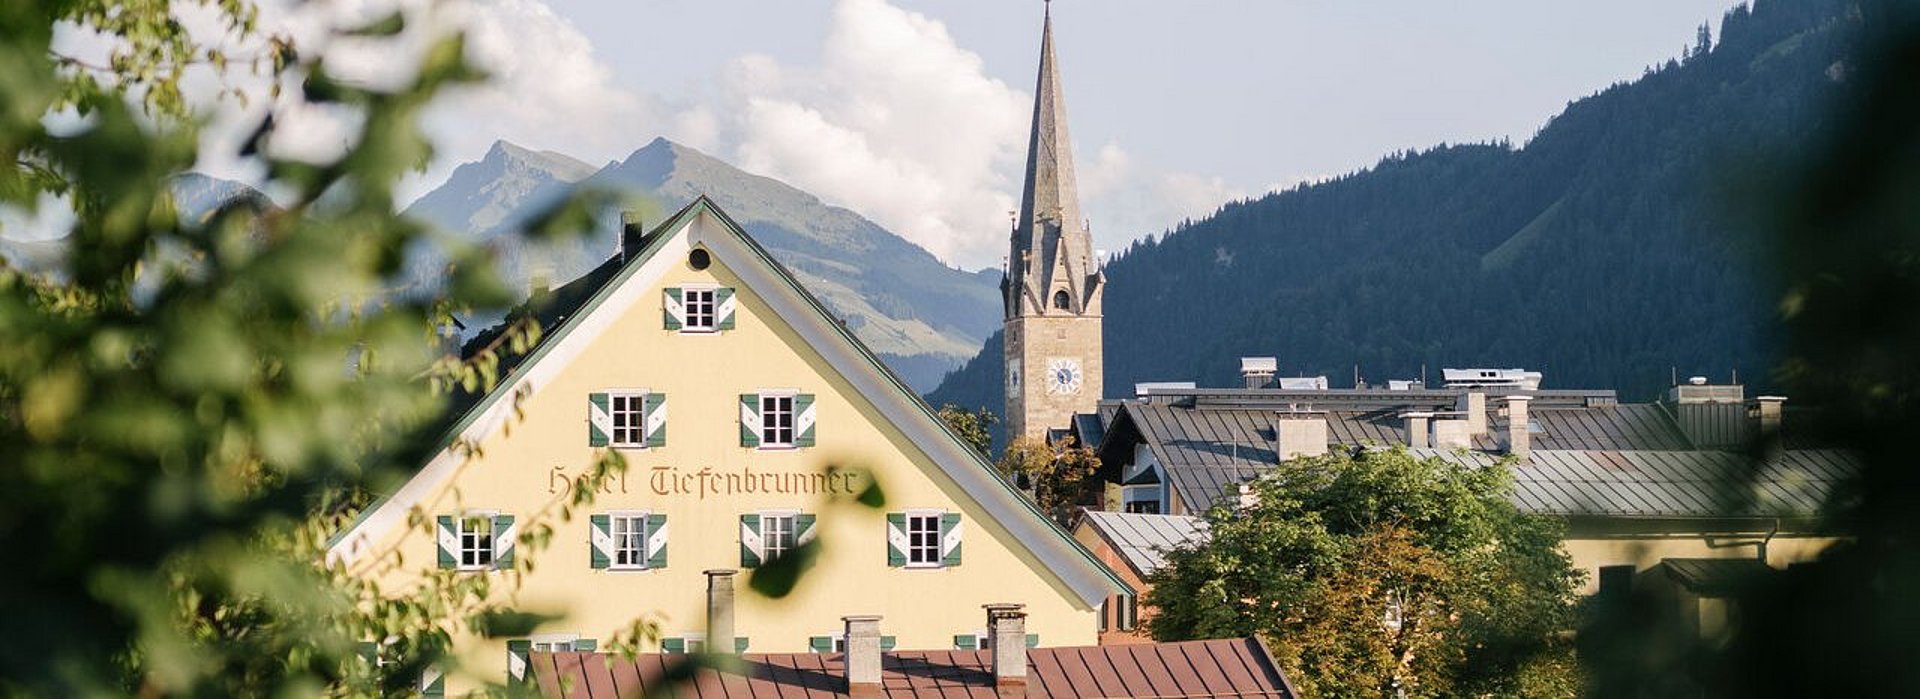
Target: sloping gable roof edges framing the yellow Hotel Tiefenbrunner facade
{"x": 827, "y": 335}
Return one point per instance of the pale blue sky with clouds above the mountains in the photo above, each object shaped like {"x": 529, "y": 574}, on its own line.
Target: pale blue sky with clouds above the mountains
{"x": 917, "y": 112}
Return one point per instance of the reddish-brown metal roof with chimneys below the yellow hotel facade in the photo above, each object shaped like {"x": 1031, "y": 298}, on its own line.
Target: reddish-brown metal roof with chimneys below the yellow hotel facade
{"x": 1186, "y": 669}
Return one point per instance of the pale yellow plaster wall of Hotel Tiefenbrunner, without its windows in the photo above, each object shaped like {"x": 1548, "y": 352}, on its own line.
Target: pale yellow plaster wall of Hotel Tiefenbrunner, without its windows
{"x": 704, "y": 377}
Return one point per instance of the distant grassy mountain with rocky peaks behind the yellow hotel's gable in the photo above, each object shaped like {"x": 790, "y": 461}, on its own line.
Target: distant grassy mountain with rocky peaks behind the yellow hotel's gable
{"x": 921, "y": 316}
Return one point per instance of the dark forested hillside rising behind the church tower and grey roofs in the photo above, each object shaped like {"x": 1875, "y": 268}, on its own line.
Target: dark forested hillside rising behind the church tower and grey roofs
{"x": 1614, "y": 247}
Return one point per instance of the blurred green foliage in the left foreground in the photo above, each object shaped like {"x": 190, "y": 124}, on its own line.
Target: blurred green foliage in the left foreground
{"x": 191, "y": 406}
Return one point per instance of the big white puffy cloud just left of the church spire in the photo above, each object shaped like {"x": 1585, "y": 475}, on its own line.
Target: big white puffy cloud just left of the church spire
{"x": 896, "y": 122}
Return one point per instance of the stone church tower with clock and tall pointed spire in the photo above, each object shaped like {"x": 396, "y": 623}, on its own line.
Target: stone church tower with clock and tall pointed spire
{"x": 1053, "y": 281}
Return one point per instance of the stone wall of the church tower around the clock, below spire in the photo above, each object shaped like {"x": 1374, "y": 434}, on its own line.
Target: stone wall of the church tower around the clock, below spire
{"x": 1036, "y": 343}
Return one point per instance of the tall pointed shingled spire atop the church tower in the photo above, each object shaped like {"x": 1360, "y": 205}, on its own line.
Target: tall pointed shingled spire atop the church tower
{"x": 1051, "y": 249}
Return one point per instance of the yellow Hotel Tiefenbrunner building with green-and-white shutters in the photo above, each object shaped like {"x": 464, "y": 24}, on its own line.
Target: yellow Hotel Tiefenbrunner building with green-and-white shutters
{"x": 731, "y": 393}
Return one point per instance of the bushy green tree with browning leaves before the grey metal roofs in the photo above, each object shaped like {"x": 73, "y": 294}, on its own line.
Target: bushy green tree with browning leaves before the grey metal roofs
{"x": 1381, "y": 573}
